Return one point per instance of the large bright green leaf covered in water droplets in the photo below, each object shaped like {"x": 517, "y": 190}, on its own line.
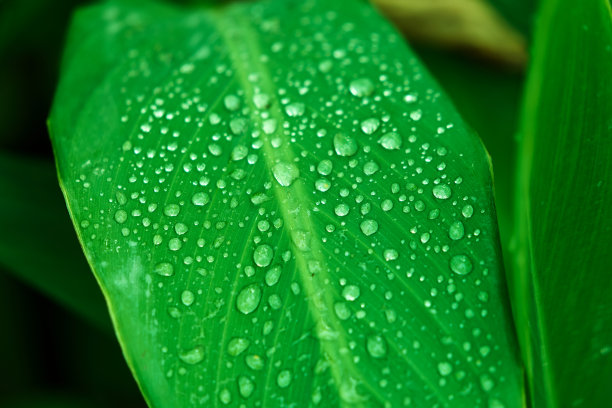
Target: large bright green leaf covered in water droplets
{"x": 282, "y": 209}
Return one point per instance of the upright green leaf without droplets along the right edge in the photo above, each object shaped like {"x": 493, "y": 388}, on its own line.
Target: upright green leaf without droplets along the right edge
{"x": 562, "y": 279}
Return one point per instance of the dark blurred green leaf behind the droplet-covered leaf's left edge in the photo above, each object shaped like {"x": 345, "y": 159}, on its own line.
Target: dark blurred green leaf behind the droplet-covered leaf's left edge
{"x": 37, "y": 241}
